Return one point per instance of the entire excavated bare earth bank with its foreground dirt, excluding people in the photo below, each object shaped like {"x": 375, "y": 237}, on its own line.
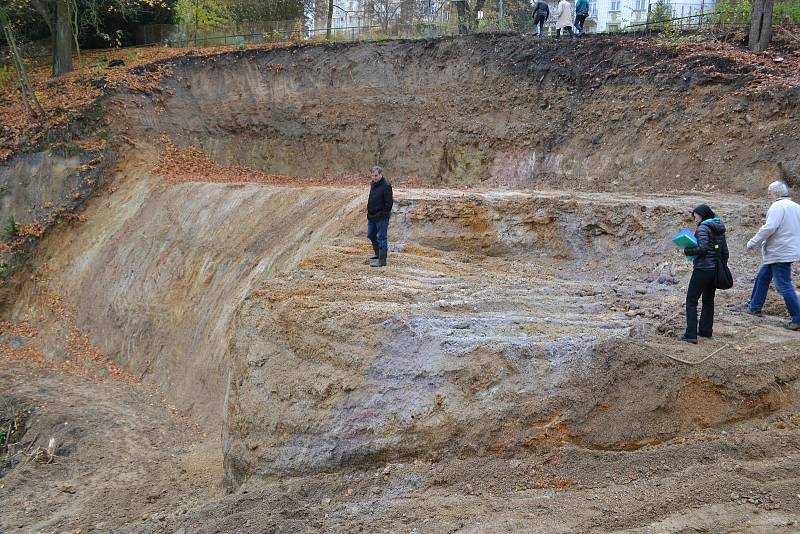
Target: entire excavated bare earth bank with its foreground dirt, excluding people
{"x": 205, "y": 344}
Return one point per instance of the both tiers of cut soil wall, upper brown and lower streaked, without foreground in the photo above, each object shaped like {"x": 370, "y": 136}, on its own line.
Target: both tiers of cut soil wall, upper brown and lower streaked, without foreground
{"x": 499, "y": 323}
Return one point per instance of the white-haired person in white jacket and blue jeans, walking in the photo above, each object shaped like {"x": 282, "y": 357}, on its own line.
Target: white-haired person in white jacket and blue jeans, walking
{"x": 780, "y": 247}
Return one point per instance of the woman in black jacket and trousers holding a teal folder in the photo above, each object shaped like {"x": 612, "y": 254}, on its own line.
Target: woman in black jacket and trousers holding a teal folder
{"x": 711, "y": 243}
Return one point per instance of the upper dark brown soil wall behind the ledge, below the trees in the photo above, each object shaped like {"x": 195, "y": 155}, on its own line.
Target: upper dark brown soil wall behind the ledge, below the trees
{"x": 599, "y": 115}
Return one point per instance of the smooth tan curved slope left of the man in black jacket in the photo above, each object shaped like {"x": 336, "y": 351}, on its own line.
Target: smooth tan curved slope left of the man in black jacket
{"x": 156, "y": 284}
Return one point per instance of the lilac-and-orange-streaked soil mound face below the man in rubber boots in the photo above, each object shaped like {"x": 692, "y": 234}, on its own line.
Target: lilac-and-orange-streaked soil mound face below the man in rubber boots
{"x": 503, "y": 323}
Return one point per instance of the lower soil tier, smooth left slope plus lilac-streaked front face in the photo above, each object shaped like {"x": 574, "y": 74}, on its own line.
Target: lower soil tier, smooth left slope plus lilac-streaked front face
{"x": 248, "y": 303}
